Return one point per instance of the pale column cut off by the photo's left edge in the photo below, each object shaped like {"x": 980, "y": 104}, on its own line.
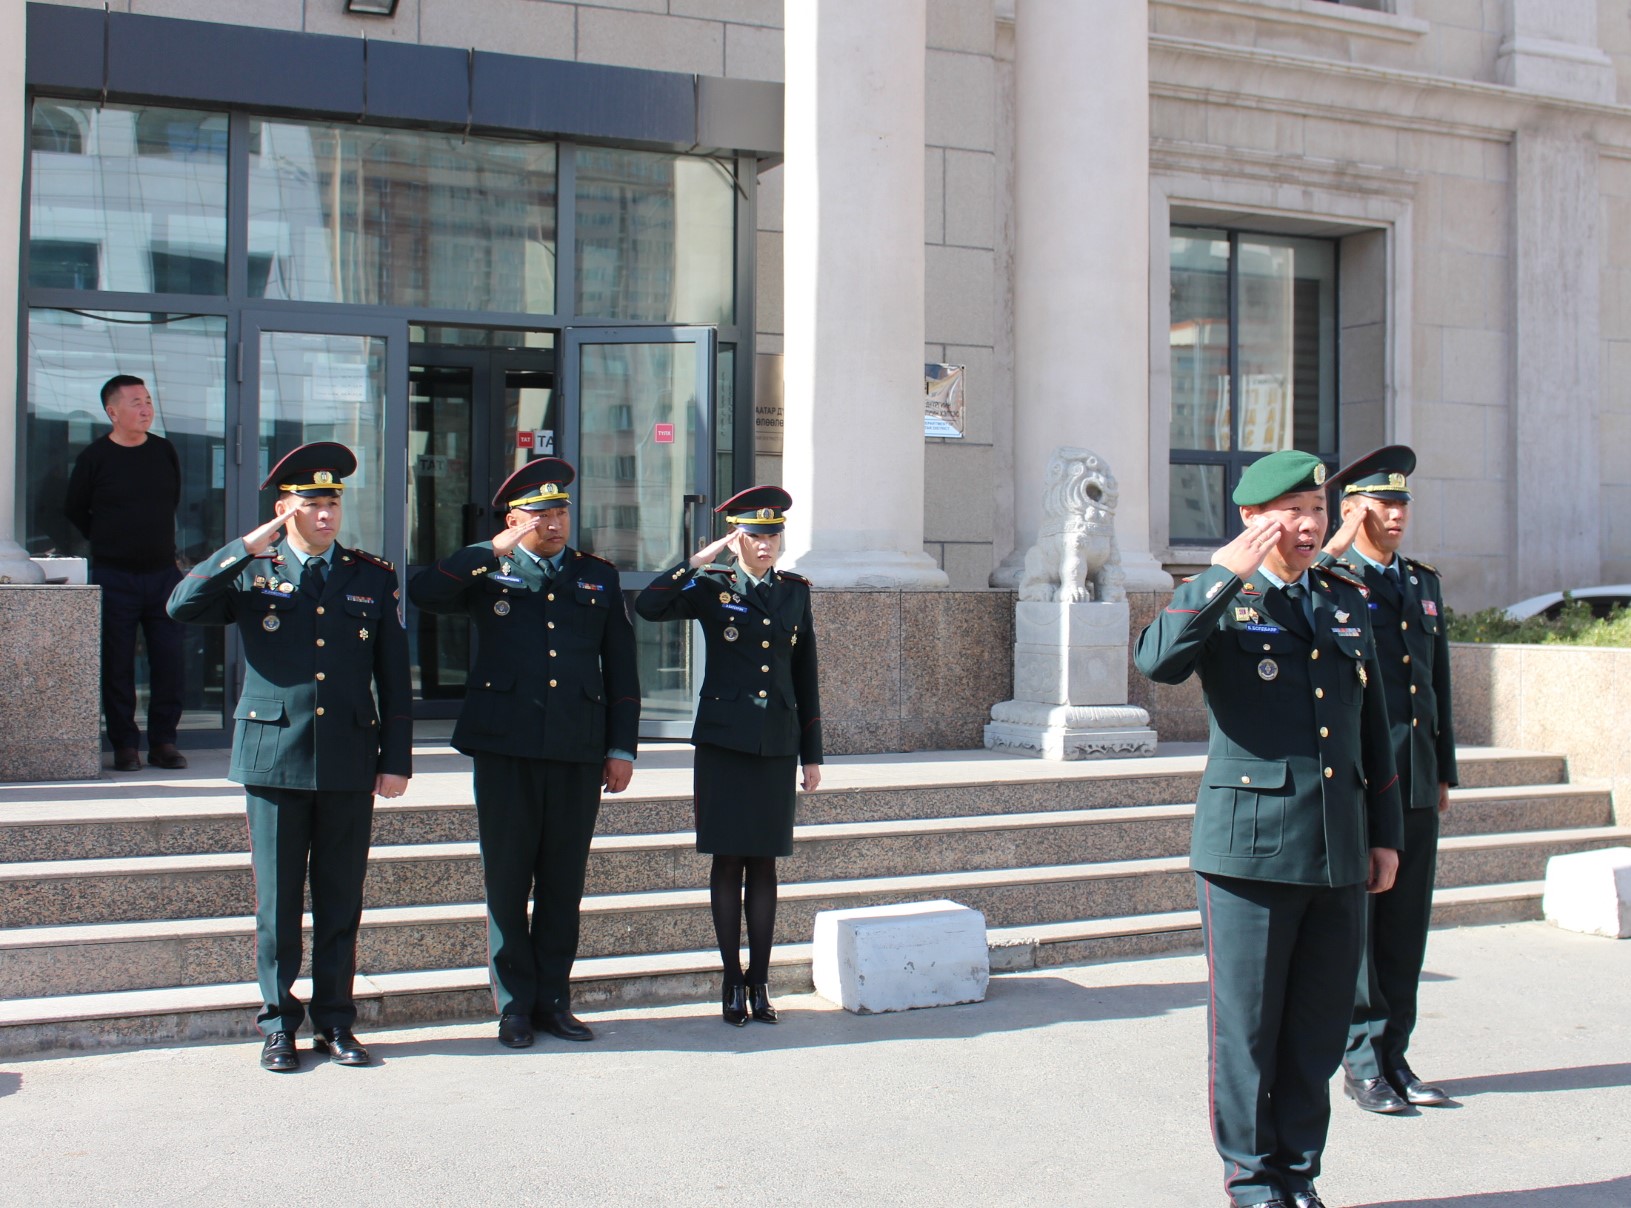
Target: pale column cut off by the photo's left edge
{"x": 14, "y": 123}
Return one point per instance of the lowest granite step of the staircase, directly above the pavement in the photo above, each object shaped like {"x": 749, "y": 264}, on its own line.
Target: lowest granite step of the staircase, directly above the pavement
{"x": 226, "y": 1012}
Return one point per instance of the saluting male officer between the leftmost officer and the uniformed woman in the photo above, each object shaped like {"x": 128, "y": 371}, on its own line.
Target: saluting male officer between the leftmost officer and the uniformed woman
{"x": 552, "y": 715}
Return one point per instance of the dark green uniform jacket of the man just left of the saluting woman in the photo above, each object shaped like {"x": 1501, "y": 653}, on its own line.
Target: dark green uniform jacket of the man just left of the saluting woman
{"x": 555, "y": 674}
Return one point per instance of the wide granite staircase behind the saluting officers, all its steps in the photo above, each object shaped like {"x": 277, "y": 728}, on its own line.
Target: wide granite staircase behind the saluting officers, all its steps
{"x": 126, "y": 906}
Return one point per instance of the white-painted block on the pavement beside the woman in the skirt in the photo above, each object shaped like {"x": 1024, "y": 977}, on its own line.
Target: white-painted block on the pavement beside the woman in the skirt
{"x": 921, "y": 954}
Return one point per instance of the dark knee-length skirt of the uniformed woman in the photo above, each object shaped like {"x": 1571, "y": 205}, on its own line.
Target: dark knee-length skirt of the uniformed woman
{"x": 745, "y": 803}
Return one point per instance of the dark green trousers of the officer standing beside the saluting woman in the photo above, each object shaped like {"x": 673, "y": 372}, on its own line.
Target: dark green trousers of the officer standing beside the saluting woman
{"x": 534, "y": 819}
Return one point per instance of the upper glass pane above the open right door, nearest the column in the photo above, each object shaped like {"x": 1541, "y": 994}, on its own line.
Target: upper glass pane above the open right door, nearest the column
{"x": 656, "y": 237}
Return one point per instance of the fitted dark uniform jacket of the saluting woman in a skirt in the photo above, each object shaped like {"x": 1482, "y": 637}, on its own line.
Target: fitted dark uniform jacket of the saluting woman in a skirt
{"x": 761, "y": 692}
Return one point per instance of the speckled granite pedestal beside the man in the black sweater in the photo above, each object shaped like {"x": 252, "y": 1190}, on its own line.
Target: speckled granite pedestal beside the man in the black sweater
{"x": 51, "y": 664}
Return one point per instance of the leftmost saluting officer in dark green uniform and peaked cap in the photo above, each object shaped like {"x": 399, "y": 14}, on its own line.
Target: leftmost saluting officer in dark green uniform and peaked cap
{"x": 322, "y": 640}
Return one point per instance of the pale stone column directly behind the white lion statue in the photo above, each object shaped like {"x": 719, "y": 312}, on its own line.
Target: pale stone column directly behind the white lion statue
{"x": 1082, "y": 260}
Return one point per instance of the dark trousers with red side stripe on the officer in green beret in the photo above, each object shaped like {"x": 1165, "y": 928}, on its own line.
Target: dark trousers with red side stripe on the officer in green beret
{"x": 1281, "y": 963}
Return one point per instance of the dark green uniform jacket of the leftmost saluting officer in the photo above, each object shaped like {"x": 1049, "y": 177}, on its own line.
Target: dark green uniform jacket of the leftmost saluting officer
{"x": 327, "y": 700}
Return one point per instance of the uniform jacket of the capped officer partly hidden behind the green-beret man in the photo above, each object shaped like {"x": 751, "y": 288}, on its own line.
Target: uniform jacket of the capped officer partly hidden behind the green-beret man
{"x": 1413, "y": 648}
